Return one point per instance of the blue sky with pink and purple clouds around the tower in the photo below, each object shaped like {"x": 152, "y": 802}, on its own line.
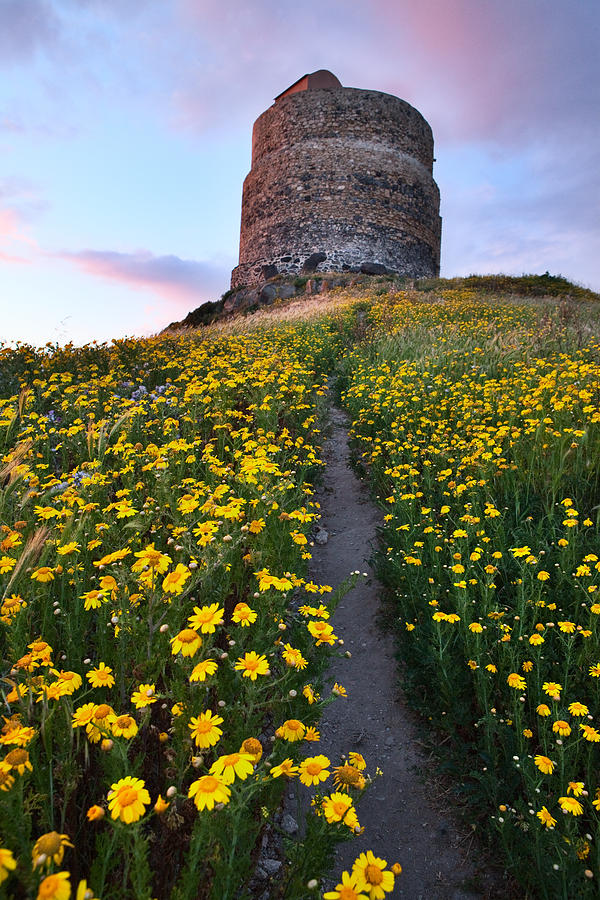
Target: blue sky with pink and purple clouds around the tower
{"x": 125, "y": 136}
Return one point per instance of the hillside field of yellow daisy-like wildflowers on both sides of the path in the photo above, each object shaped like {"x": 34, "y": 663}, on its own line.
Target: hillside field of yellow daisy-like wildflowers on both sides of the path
{"x": 164, "y": 653}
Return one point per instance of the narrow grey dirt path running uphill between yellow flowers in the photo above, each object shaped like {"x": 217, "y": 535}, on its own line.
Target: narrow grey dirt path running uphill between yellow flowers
{"x": 402, "y": 824}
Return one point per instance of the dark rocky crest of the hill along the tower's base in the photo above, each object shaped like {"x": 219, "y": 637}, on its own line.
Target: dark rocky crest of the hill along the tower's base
{"x": 248, "y": 300}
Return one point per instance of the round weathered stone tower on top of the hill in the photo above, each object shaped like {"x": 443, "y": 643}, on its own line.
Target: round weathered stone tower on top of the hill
{"x": 341, "y": 180}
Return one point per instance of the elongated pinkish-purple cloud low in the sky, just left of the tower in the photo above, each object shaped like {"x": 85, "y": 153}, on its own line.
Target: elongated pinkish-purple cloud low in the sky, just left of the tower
{"x": 183, "y": 283}
